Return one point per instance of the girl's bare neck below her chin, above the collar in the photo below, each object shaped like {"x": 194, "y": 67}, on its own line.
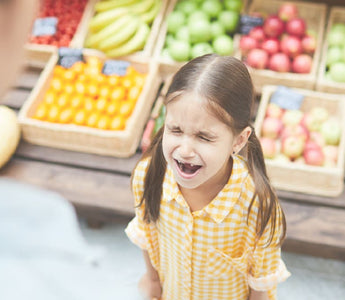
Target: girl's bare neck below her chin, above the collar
{"x": 201, "y": 196}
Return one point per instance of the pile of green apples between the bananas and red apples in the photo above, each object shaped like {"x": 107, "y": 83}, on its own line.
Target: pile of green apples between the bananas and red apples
{"x": 197, "y": 27}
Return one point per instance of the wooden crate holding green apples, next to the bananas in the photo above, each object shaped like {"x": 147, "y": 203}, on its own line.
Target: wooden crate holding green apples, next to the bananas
{"x": 163, "y": 32}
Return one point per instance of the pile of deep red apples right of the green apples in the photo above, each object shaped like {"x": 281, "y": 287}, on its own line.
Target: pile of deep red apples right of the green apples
{"x": 281, "y": 44}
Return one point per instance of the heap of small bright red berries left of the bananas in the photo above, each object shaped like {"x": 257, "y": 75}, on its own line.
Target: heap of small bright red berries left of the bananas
{"x": 68, "y": 14}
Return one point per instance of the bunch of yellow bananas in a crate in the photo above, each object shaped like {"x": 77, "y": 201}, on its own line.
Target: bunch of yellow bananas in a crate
{"x": 121, "y": 27}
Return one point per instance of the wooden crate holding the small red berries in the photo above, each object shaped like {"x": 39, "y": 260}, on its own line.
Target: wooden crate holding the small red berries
{"x": 38, "y": 55}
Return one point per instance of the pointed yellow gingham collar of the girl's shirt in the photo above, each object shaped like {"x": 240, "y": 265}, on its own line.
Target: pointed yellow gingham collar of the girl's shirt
{"x": 220, "y": 206}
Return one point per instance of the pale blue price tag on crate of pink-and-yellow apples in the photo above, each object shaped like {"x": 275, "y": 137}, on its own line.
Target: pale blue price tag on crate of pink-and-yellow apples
{"x": 287, "y": 98}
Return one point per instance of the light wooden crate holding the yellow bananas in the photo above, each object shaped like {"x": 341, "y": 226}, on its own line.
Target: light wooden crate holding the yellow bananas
{"x": 151, "y": 40}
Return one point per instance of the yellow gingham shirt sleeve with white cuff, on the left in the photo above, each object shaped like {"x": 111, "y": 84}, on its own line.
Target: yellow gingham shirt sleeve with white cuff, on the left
{"x": 137, "y": 228}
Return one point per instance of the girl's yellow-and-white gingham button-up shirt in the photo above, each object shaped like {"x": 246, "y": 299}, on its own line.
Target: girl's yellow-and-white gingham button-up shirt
{"x": 207, "y": 254}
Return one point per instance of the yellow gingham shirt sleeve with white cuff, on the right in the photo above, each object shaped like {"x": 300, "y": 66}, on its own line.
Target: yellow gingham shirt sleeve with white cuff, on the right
{"x": 266, "y": 268}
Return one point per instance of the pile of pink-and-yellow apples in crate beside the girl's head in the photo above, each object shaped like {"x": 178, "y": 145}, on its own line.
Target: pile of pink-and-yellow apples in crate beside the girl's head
{"x": 310, "y": 137}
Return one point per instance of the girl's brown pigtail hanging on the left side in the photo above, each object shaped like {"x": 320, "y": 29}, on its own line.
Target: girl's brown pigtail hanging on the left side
{"x": 153, "y": 184}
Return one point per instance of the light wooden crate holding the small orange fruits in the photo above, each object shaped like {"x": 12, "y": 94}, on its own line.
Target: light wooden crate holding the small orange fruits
{"x": 79, "y": 138}
